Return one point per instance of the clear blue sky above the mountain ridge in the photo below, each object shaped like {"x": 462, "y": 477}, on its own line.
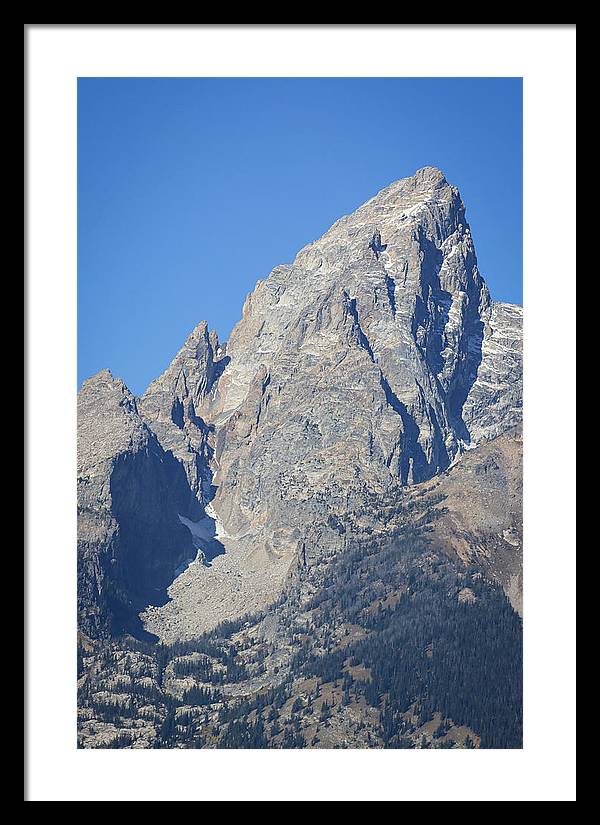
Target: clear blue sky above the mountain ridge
{"x": 191, "y": 189}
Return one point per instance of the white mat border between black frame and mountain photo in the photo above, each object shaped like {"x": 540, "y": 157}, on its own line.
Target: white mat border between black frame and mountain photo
{"x": 545, "y": 57}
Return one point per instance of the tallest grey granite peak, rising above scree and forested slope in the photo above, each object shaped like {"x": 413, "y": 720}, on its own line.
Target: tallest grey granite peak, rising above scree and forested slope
{"x": 366, "y": 347}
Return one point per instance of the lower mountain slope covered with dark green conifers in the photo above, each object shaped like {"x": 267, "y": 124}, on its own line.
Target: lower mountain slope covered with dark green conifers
{"x": 398, "y": 640}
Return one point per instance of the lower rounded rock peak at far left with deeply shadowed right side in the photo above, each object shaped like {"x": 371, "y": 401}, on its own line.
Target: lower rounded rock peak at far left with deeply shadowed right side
{"x": 130, "y": 491}
